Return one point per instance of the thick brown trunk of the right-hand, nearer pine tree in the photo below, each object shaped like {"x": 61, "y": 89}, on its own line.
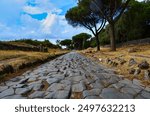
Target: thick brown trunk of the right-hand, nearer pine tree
{"x": 112, "y": 36}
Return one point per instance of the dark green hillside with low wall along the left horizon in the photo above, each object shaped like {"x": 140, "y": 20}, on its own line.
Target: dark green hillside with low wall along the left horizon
{"x": 27, "y": 45}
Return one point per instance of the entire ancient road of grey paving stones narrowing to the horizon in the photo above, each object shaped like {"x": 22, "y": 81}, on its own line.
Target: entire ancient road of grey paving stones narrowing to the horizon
{"x": 72, "y": 76}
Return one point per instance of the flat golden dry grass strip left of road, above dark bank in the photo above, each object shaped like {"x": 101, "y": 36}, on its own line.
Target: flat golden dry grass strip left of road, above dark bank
{"x": 17, "y": 57}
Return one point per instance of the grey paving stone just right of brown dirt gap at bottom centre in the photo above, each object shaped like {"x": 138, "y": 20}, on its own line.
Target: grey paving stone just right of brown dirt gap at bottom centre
{"x": 92, "y": 92}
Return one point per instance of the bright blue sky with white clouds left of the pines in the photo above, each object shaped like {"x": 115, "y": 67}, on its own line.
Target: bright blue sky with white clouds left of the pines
{"x": 36, "y": 19}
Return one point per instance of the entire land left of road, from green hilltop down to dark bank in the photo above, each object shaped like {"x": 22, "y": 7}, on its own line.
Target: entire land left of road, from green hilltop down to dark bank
{"x": 19, "y": 56}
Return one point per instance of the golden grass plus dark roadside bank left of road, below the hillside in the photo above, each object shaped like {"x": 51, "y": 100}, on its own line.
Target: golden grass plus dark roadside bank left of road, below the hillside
{"x": 13, "y": 63}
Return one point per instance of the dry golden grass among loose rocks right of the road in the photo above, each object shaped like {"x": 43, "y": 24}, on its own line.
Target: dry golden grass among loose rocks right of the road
{"x": 142, "y": 53}
